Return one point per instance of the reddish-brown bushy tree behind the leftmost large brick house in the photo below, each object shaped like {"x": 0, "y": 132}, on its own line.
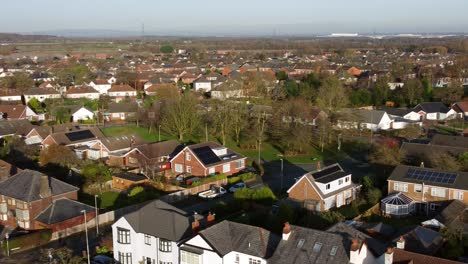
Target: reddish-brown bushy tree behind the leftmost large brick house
{"x": 59, "y": 155}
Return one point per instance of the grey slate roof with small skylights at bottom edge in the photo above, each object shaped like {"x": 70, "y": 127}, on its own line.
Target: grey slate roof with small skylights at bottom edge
{"x": 290, "y": 252}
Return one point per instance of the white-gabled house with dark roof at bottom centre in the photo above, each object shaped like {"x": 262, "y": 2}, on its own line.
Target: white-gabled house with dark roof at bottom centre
{"x": 229, "y": 242}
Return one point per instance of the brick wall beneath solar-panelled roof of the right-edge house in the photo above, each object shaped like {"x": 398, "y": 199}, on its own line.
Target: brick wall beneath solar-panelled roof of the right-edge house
{"x": 418, "y": 196}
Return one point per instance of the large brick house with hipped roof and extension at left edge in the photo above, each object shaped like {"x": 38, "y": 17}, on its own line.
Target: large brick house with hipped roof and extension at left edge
{"x": 40, "y": 204}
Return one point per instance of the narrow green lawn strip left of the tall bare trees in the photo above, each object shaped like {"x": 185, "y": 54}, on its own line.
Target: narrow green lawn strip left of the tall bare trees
{"x": 134, "y": 130}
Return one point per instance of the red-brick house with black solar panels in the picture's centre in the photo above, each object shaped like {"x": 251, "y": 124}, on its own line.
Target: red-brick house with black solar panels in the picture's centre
{"x": 207, "y": 159}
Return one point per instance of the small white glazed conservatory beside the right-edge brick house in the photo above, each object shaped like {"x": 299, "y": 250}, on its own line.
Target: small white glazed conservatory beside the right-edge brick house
{"x": 397, "y": 204}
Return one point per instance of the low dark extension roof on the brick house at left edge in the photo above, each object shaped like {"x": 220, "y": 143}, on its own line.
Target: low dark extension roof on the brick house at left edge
{"x": 61, "y": 210}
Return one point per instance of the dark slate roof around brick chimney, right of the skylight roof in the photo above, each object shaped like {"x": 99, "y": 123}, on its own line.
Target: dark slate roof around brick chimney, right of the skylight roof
{"x": 348, "y": 233}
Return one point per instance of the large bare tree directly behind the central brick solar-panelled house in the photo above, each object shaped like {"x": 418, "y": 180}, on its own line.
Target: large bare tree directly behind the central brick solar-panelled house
{"x": 180, "y": 115}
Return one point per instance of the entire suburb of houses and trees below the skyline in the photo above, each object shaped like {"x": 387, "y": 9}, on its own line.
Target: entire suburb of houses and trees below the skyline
{"x": 161, "y": 150}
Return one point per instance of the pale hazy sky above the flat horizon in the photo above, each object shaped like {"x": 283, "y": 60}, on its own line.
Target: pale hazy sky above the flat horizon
{"x": 236, "y": 17}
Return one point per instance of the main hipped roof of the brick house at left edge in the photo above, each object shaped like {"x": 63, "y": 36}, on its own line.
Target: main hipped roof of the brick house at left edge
{"x": 25, "y": 186}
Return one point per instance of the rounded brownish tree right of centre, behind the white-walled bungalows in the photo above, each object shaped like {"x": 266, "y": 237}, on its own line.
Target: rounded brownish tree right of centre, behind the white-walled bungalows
{"x": 331, "y": 95}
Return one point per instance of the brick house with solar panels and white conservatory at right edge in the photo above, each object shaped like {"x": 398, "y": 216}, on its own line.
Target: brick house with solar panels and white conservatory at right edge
{"x": 414, "y": 189}
